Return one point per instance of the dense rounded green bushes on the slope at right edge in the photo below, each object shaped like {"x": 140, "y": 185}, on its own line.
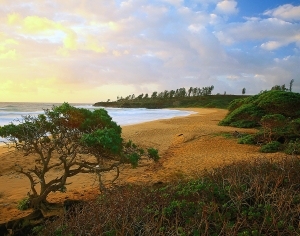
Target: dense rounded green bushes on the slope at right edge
{"x": 273, "y": 113}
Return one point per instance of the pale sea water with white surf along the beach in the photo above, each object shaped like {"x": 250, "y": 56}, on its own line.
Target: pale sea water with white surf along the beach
{"x": 14, "y": 111}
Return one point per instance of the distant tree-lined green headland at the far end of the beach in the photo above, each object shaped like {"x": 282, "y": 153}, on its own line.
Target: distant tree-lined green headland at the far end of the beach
{"x": 193, "y": 97}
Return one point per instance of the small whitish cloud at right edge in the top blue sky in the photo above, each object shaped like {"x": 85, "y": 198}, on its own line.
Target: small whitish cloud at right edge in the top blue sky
{"x": 285, "y": 12}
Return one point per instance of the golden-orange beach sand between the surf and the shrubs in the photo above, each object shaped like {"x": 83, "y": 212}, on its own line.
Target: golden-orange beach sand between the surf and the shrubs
{"x": 187, "y": 146}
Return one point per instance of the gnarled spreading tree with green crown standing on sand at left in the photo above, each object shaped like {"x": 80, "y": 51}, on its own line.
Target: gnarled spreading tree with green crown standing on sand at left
{"x": 76, "y": 140}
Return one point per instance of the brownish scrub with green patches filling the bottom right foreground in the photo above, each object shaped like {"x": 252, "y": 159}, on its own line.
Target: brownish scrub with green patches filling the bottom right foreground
{"x": 257, "y": 198}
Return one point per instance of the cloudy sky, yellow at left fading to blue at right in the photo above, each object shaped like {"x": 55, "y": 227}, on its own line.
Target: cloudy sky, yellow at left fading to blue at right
{"x": 92, "y": 50}
